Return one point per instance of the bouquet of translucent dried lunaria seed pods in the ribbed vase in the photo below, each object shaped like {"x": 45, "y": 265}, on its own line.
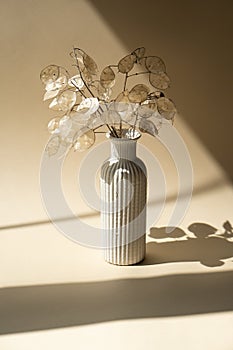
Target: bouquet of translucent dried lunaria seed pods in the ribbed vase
{"x": 84, "y": 101}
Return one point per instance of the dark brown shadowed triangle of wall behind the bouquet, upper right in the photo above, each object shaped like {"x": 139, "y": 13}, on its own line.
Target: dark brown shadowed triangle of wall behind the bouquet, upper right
{"x": 195, "y": 39}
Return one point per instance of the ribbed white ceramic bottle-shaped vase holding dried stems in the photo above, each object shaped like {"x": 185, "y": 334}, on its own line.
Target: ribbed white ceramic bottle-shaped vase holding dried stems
{"x": 123, "y": 191}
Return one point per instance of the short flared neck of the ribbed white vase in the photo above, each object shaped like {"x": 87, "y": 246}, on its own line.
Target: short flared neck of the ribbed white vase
{"x": 123, "y": 148}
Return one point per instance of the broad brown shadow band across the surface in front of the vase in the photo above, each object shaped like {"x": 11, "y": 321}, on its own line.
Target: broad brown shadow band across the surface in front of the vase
{"x": 34, "y": 308}
